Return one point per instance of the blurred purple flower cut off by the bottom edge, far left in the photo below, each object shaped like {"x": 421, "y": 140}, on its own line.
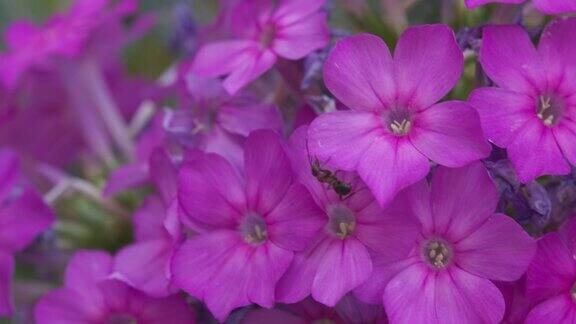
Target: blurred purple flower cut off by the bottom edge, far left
{"x": 89, "y": 295}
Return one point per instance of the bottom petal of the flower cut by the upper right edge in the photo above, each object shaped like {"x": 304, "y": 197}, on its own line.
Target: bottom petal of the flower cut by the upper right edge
{"x": 534, "y": 152}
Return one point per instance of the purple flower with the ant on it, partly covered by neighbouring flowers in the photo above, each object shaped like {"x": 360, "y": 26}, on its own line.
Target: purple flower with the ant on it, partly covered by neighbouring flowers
{"x": 340, "y": 257}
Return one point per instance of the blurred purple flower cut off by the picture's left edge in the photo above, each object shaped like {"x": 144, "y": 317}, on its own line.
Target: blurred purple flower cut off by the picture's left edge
{"x": 23, "y": 215}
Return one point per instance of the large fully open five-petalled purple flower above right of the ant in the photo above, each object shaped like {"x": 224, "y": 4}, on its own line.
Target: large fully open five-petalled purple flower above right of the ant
{"x": 394, "y": 126}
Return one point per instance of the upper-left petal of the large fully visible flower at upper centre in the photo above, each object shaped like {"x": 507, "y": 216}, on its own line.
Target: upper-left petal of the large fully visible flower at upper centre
{"x": 359, "y": 72}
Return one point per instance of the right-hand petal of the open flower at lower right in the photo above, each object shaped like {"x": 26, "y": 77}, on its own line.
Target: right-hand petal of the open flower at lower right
{"x": 499, "y": 250}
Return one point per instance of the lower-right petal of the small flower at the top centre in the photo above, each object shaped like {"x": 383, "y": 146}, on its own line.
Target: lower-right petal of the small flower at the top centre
{"x": 302, "y": 37}
